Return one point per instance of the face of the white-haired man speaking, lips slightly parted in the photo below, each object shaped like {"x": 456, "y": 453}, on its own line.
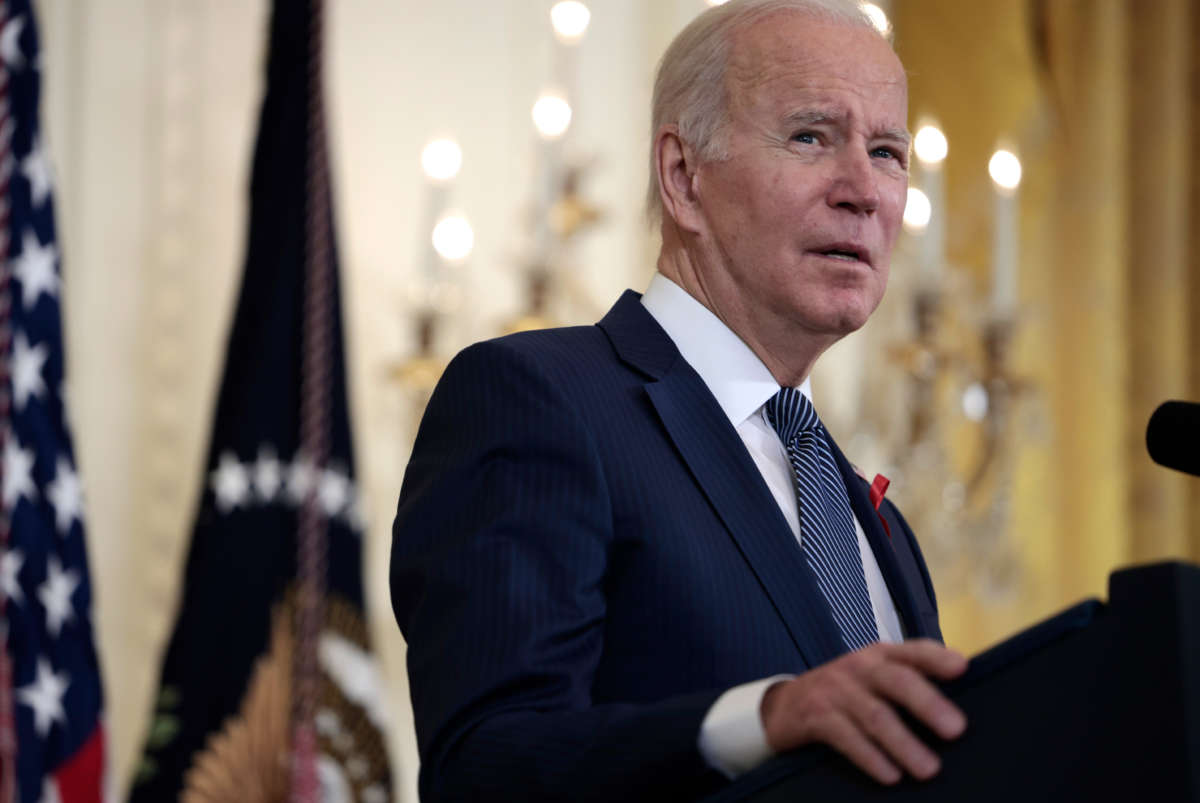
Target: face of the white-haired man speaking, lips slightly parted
{"x": 801, "y": 220}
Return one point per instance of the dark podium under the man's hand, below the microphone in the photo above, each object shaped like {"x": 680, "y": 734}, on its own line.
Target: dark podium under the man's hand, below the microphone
{"x": 1101, "y": 703}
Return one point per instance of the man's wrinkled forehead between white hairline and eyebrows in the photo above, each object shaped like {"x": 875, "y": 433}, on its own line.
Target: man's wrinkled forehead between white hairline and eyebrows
{"x": 806, "y": 51}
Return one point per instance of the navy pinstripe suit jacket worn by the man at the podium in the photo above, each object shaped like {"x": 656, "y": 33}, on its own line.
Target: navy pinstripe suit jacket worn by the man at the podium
{"x": 585, "y": 558}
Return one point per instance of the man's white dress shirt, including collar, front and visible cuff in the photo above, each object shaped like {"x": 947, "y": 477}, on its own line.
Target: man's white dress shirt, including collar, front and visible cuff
{"x": 733, "y": 739}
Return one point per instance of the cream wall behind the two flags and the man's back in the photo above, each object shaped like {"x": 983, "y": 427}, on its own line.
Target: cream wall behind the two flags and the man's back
{"x": 151, "y": 109}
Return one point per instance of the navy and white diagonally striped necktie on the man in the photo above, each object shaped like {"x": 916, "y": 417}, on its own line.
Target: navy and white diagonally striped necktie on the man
{"x": 829, "y": 541}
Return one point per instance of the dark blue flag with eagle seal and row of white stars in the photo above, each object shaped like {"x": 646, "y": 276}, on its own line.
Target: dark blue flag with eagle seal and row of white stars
{"x": 269, "y": 688}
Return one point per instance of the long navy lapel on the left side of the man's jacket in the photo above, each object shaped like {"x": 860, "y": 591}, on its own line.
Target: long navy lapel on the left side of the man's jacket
{"x": 721, "y": 465}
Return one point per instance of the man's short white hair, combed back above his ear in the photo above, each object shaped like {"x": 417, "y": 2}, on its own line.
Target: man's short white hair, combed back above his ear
{"x": 689, "y": 87}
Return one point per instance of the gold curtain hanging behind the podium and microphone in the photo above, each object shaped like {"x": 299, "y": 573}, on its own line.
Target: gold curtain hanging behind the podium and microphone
{"x": 1100, "y": 98}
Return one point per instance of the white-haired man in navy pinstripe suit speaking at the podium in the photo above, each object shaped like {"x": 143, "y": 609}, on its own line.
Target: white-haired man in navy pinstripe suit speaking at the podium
{"x": 628, "y": 559}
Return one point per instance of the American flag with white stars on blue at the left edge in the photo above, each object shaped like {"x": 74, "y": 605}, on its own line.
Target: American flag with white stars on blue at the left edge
{"x": 52, "y": 744}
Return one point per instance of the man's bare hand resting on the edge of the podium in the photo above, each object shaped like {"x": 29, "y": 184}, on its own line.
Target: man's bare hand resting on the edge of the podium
{"x": 850, "y": 705}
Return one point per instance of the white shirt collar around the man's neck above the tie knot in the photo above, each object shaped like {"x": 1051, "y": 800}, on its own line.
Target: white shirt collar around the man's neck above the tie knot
{"x": 734, "y": 374}
